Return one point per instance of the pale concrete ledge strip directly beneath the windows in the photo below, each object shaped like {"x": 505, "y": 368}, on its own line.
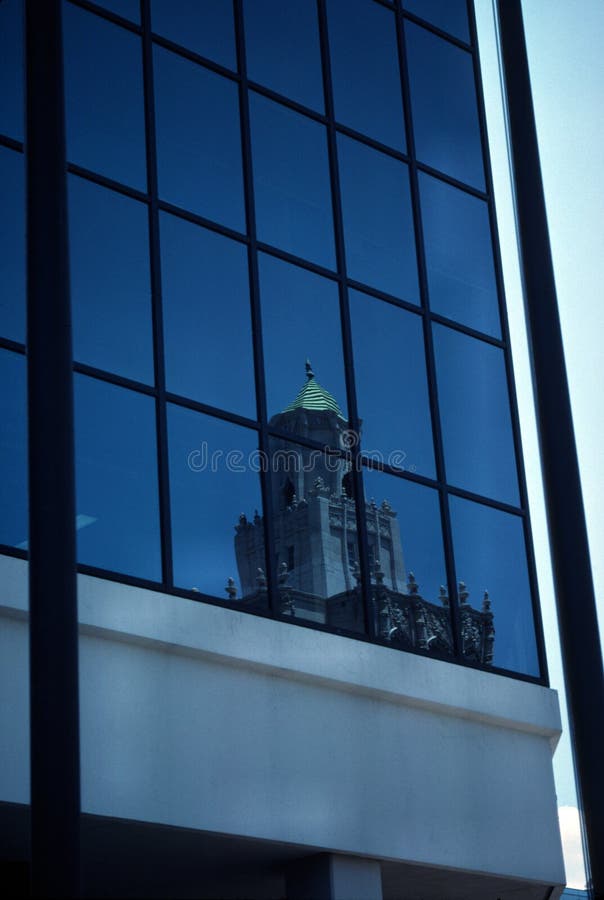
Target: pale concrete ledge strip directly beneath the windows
{"x": 137, "y": 615}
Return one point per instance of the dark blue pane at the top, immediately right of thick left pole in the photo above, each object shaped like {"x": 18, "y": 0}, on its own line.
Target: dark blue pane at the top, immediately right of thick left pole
{"x": 104, "y": 105}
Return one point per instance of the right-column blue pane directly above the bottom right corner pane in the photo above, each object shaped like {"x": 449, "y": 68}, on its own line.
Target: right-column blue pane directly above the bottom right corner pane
{"x": 475, "y": 415}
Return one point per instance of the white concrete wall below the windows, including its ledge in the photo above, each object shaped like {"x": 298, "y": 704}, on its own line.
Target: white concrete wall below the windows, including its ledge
{"x": 198, "y": 716}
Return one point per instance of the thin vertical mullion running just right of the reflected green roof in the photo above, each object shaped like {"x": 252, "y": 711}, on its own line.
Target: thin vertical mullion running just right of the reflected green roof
{"x": 353, "y": 414}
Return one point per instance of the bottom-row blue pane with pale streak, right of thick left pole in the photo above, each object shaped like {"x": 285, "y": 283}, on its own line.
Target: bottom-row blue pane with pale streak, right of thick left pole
{"x": 116, "y": 479}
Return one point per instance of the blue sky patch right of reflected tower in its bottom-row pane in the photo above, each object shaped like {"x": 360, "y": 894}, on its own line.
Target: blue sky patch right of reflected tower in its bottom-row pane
{"x": 418, "y": 517}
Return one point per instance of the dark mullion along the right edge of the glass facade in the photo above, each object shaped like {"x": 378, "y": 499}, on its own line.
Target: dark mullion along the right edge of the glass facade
{"x": 507, "y": 352}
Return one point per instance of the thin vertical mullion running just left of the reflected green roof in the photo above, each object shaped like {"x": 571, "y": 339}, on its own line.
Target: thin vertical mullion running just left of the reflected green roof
{"x": 260, "y": 384}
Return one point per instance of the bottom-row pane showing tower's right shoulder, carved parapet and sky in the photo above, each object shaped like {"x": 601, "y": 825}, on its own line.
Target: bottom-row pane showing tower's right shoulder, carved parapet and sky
{"x": 408, "y": 576}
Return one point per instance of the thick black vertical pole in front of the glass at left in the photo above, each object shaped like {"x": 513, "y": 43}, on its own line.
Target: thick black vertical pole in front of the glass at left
{"x": 53, "y": 612}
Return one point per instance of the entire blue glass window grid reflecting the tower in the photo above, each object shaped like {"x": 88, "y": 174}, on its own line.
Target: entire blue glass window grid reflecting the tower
{"x": 282, "y": 241}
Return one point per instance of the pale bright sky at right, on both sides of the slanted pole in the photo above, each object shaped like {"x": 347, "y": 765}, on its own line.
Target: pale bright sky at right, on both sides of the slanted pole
{"x": 564, "y": 40}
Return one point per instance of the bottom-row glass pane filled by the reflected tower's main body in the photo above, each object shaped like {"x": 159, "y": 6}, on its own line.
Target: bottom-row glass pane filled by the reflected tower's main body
{"x": 316, "y": 549}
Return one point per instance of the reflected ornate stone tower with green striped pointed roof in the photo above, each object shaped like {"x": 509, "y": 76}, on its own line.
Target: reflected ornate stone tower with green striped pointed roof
{"x": 316, "y": 552}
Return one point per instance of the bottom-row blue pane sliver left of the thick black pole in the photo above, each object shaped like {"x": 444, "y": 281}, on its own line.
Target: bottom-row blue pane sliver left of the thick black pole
{"x": 13, "y": 450}
